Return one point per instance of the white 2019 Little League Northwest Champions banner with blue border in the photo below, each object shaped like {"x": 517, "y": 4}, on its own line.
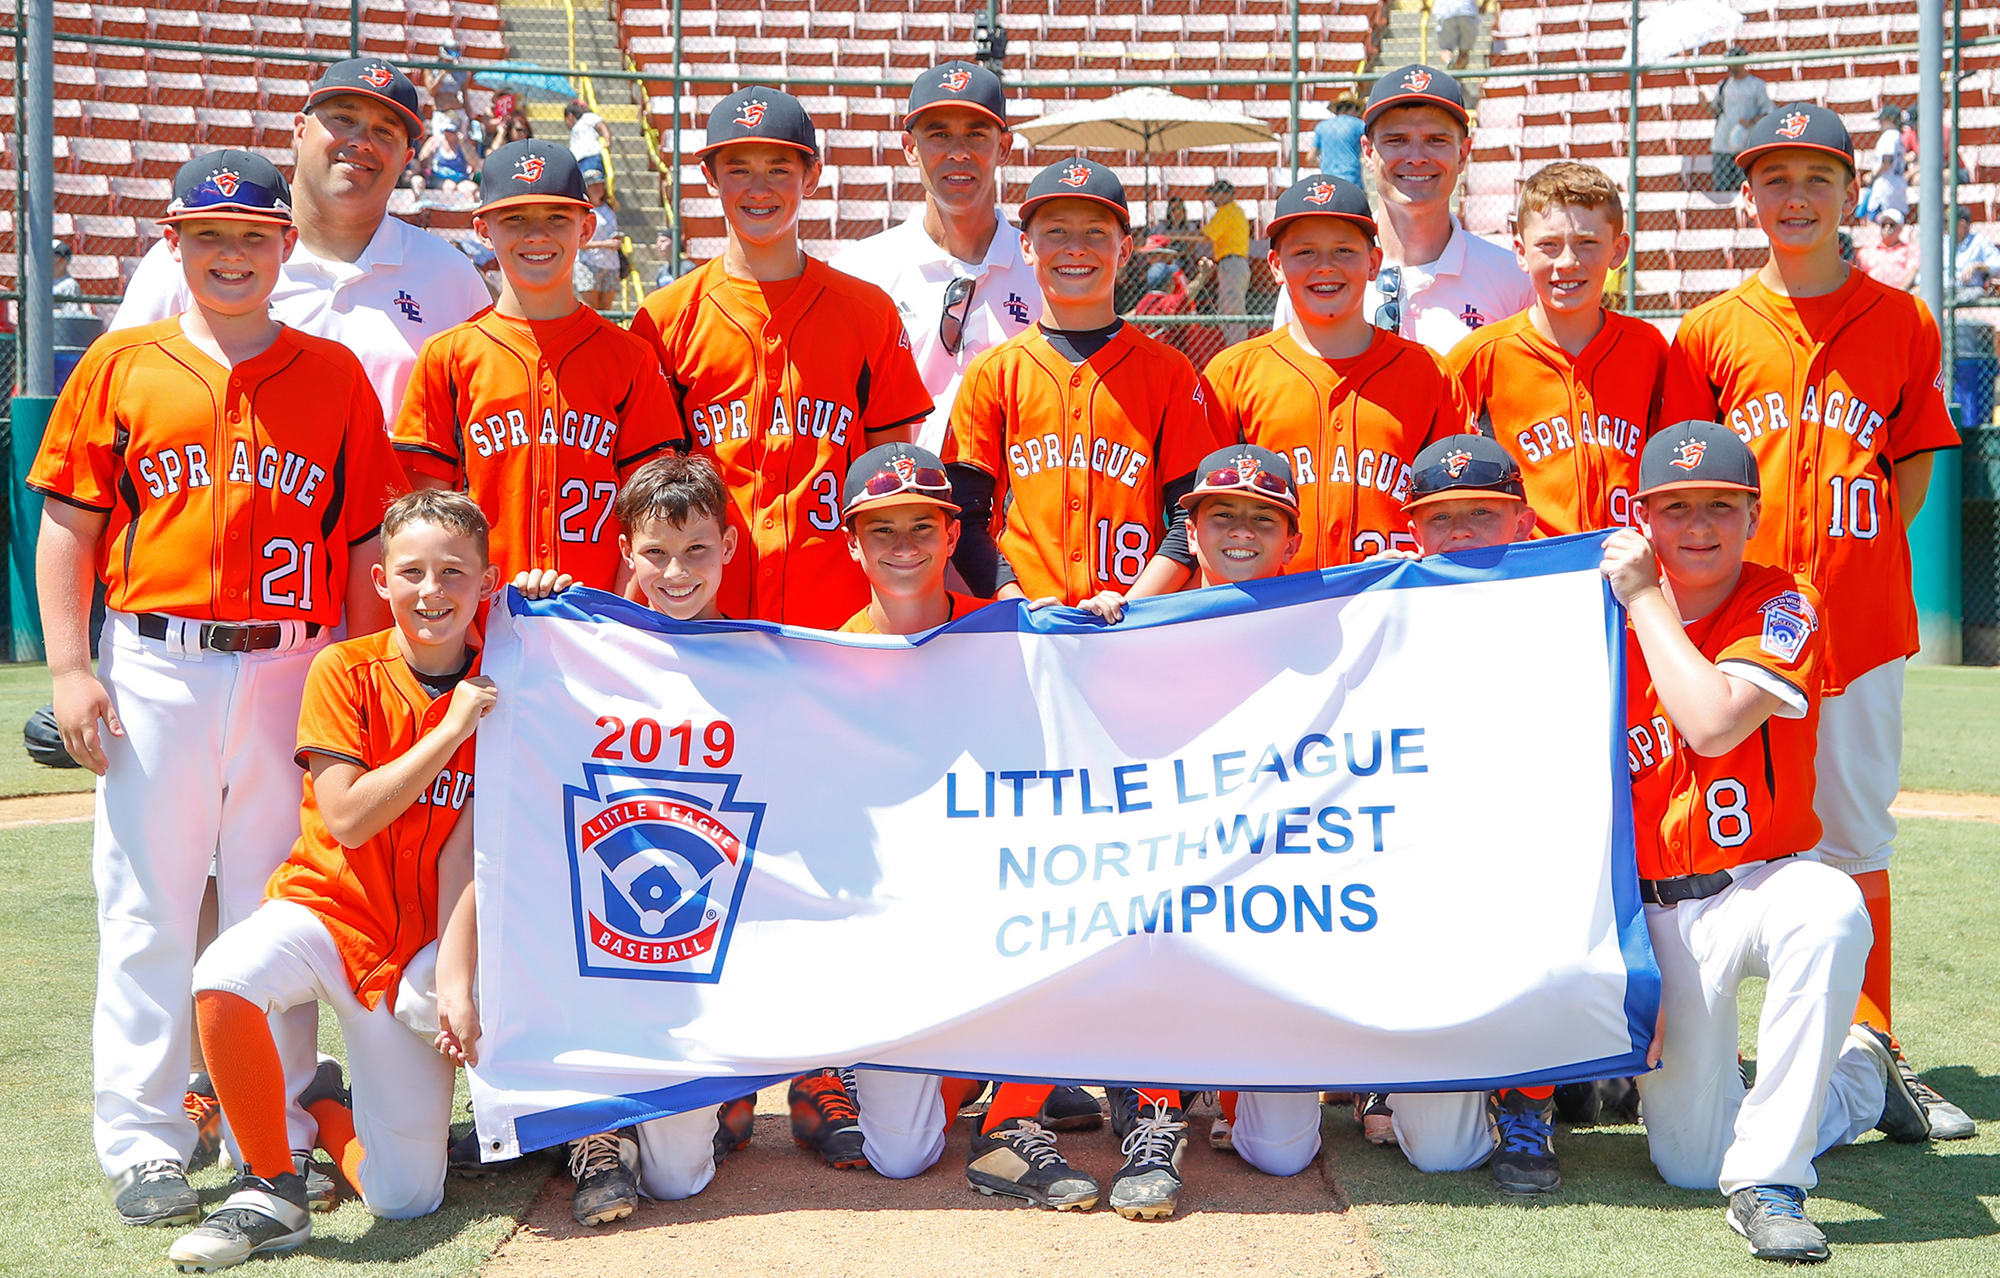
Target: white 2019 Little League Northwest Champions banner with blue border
{"x": 1351, "y": 829}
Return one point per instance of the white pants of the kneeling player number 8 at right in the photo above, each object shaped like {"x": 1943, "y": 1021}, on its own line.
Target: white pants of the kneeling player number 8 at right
{"x": 1801, "y": 927}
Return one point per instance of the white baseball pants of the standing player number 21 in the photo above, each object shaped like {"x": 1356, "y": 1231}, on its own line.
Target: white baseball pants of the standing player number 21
{"x": 203, "y": 777}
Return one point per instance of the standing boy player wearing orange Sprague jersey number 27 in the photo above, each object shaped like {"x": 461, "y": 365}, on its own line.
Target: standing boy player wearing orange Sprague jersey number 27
{"x": 539, "y": 407}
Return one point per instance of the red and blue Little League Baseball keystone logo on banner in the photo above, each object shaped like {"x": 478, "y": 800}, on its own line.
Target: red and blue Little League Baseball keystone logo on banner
{"x": 657, "y": 871}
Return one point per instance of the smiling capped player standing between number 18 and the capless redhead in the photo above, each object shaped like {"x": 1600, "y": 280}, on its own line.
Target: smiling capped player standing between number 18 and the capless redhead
{"x": 1347, "y": 403}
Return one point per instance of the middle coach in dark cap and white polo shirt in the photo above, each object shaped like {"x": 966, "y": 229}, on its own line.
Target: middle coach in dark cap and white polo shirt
{"x": 955, "y": 265}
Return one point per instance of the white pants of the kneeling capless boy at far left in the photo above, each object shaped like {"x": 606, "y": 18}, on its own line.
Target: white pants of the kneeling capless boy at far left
{"x": 283, "y": 957}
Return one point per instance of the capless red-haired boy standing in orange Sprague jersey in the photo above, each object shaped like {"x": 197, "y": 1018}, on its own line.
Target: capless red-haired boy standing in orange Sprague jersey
{"x": 1569, "y": 387}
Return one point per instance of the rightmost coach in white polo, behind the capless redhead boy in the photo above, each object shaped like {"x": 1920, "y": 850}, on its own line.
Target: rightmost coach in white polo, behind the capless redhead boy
{"x": 1439, "y": 281}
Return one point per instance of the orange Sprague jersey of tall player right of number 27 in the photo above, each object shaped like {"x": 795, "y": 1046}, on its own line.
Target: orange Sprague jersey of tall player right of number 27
{"x": 781, "y": 385}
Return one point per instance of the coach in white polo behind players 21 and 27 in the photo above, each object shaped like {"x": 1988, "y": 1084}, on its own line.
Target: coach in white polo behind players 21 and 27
{"x": 359, "y": 277}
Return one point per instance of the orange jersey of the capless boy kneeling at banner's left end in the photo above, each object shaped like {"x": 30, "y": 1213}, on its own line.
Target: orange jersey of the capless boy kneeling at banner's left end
{"x": 379, "y": 901}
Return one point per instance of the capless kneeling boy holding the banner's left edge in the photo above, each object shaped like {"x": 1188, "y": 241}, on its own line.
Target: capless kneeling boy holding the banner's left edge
{"x": 383, "y": 859}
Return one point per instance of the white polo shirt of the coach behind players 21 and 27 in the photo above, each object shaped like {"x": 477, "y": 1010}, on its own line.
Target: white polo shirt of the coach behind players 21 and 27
{"x": 407, "y": 287}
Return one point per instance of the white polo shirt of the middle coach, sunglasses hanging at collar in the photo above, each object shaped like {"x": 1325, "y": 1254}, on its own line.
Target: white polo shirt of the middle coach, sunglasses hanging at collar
{"x": 915, "y": 271}
